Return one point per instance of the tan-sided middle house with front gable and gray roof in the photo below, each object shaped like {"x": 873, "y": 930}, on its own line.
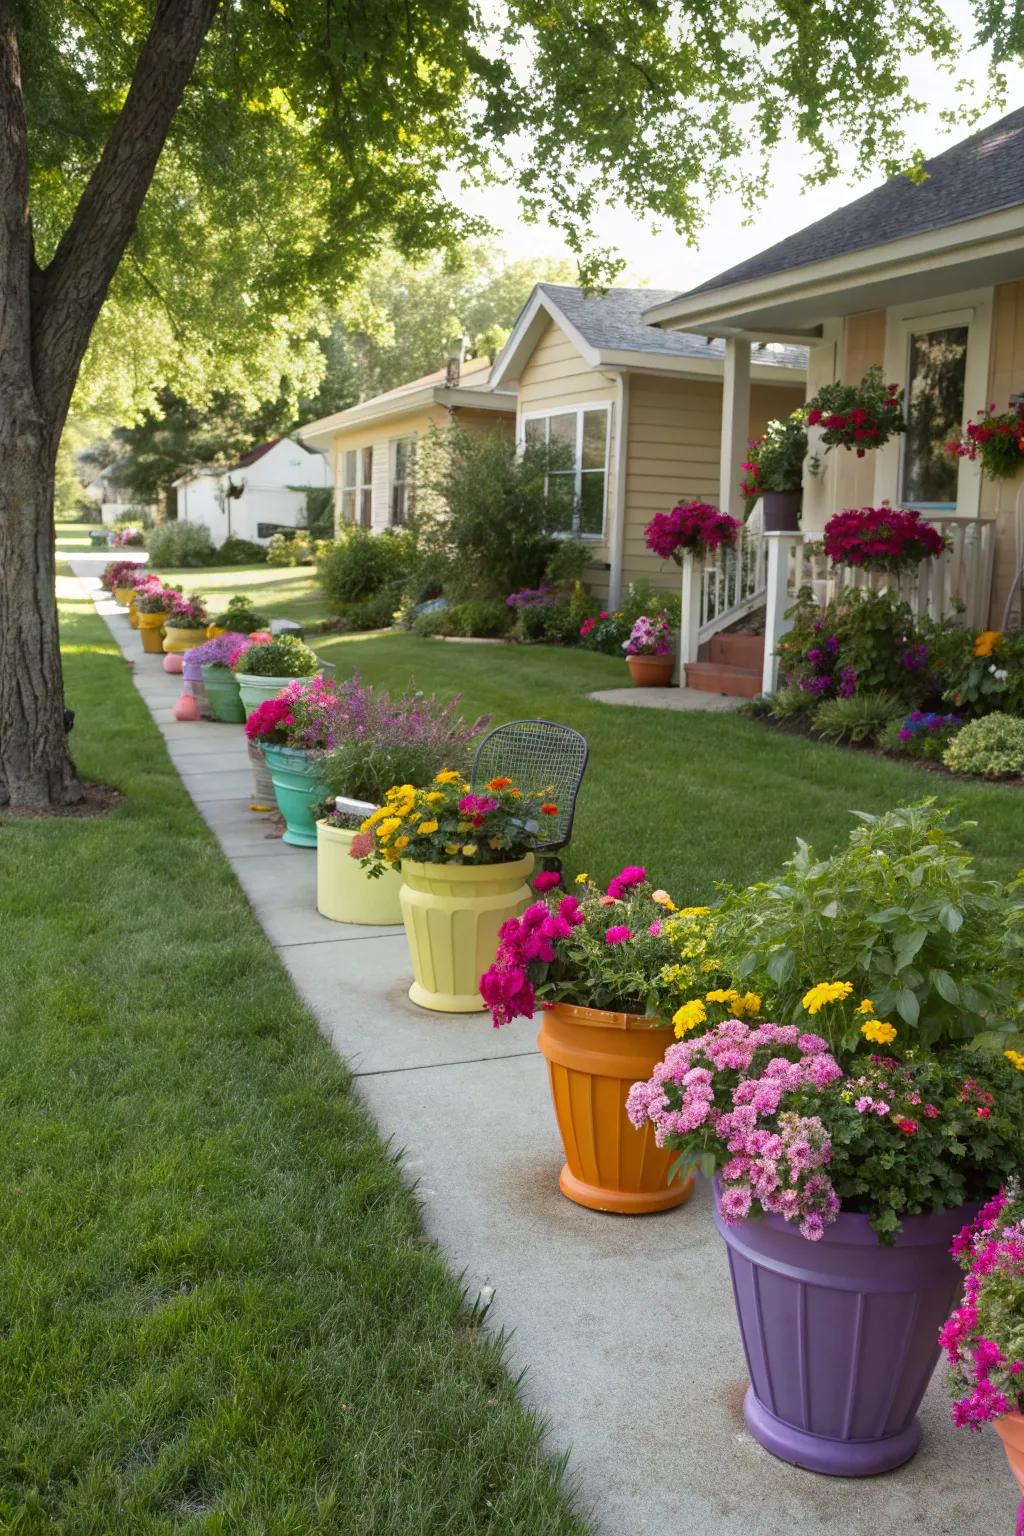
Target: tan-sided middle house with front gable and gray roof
{"x": 641, "y": 411}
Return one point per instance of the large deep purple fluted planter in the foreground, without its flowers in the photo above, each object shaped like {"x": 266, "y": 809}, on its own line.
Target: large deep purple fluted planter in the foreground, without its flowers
{"x": 842, "y": 1336}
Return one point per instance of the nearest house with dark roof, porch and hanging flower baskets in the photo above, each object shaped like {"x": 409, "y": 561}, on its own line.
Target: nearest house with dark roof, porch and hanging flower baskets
{"x": 927, "y": 280}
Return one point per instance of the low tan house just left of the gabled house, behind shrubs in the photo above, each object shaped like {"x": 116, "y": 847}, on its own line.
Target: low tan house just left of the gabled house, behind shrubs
{"x": 372, "y": 448}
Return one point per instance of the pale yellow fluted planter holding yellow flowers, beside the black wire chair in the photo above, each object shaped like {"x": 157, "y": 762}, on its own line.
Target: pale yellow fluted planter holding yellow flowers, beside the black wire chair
{"x": 452, "y": 916}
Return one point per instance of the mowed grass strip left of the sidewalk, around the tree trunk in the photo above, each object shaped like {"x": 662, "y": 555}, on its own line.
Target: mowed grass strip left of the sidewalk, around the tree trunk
{"x": 219, "y": 1308}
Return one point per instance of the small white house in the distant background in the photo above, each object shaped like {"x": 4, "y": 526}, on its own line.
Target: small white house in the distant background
{"x": 259, "y": 495}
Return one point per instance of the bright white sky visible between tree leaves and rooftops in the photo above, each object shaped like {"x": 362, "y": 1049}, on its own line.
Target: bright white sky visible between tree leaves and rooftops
{"x": 662, "y": 259}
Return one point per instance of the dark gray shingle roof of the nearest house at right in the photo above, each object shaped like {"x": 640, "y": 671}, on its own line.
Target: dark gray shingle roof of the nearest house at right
{"x": 976, "y": 177}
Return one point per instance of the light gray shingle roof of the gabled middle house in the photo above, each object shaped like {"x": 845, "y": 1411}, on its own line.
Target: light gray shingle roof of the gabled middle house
{"x": 615, "y": 322}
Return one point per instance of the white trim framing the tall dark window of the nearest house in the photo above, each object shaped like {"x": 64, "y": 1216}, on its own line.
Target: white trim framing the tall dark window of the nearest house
{"x": 974, "y": 311}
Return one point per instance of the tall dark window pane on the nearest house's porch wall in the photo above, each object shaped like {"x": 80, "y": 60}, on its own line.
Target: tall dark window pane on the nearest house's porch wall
{"x": 936, "y": 409}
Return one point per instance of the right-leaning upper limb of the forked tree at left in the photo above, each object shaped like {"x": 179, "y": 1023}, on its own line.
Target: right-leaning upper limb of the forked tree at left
{"x": 76, "y": 283}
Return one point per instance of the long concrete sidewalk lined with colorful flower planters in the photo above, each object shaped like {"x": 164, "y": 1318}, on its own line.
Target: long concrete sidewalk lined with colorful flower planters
{"x": 626, "y": 1328}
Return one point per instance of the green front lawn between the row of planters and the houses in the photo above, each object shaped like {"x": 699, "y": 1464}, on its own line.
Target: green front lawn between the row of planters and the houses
{"x": 698, "y": 798}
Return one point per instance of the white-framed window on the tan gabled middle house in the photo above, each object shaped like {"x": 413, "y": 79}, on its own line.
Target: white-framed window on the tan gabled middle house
{"x": 578, "y": 442}
